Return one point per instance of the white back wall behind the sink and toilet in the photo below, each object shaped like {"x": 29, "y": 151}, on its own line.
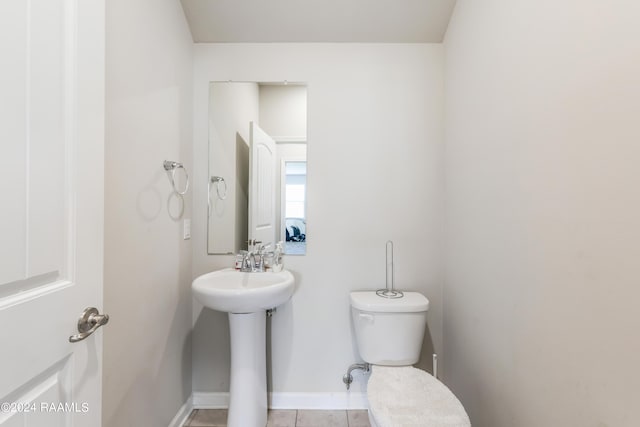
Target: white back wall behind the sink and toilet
{"x": 375, "y": 132}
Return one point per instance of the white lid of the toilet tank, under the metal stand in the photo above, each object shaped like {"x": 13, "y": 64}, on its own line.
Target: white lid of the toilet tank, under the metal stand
{"x": 411, "y": 302}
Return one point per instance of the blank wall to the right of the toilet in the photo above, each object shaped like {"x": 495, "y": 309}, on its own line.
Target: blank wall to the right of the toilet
{"x": 542, "y": 207}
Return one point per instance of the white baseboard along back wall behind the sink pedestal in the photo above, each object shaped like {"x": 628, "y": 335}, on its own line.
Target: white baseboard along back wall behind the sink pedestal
{"x": 339, "y": 400}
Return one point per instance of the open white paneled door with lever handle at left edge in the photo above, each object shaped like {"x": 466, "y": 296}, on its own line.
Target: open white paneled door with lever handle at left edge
{"x": 51, "y": 219}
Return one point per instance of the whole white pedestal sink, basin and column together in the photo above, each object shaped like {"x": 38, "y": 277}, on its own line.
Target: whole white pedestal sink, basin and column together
{"x": 246, "y": 297}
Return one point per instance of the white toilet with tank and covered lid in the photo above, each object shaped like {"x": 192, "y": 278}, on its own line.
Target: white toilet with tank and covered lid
{"x": 389, "y": 333}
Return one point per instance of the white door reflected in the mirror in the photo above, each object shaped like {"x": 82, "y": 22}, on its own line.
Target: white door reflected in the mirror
{"x": 262, "y": 186}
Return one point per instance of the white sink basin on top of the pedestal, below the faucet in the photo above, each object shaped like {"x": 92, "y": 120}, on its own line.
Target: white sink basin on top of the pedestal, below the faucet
{"x": 233, "y": 291}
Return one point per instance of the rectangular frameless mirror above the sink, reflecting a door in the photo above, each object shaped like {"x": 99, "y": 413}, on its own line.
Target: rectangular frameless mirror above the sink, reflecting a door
{"x": 257, "y": 166}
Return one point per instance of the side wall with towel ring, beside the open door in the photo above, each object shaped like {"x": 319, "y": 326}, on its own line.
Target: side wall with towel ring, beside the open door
{"x": 147, "y": 292}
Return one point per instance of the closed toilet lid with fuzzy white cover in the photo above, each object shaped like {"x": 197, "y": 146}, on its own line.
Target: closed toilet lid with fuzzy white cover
{"x": 406, "y": 396}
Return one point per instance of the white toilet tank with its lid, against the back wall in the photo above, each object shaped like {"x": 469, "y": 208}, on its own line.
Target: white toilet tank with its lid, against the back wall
{"x": 389, "y": 331}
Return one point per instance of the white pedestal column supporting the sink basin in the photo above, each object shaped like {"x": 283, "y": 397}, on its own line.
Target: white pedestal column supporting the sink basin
{"x": 248, "y": 388}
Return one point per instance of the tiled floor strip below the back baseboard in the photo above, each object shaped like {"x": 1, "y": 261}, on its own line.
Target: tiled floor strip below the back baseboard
{"x": 285, "y": 418}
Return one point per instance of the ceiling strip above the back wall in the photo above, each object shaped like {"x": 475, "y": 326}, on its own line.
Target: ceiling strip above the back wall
{"x": 308, "y": 21}
